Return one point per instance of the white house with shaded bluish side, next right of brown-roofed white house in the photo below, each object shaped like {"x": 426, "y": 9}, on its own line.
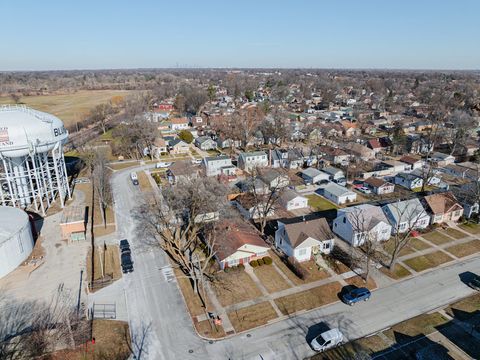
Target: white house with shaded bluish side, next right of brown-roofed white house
{"x": 357, "y": 224}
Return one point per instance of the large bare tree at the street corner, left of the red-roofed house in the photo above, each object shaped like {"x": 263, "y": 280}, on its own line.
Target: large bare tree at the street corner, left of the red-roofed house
{"x": 181, "y": 223}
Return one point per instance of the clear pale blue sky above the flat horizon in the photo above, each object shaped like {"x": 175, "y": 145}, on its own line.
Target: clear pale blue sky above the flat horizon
{"x": 87, "y": 34}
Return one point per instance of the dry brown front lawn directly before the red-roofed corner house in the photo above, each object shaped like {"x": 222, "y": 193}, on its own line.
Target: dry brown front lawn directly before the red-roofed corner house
{"x": 234, "y": 287}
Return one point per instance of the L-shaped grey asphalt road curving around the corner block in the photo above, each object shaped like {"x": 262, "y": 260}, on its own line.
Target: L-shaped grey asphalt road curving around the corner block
{"x": 154, "y": 301}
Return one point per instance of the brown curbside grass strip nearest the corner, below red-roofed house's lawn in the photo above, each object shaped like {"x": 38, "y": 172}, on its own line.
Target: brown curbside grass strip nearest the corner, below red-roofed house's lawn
{"x": 252, "y": 316}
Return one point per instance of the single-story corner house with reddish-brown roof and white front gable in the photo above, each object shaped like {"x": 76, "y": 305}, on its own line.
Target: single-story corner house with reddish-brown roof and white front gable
{"x": 239, "y": 243}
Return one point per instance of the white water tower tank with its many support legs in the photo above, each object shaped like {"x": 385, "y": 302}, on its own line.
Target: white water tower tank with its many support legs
{"x": 32, "y": 165}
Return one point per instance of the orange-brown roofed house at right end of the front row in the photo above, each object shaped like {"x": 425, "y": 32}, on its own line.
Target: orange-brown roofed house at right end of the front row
{"x": 443, "y": 207}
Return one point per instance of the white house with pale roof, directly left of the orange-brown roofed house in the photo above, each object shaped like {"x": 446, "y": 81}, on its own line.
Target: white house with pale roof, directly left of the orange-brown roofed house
{"x": 406, "y": 215}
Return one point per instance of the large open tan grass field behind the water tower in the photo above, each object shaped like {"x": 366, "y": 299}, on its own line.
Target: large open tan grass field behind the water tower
{"x": 69, "y": 107}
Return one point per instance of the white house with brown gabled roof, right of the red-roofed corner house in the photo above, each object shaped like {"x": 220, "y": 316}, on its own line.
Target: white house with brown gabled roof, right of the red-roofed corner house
{"x": 303, "y": 239}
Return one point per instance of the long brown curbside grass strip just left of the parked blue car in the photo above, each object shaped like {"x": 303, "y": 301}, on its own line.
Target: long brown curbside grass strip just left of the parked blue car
{"x": 309, "y": 299}
